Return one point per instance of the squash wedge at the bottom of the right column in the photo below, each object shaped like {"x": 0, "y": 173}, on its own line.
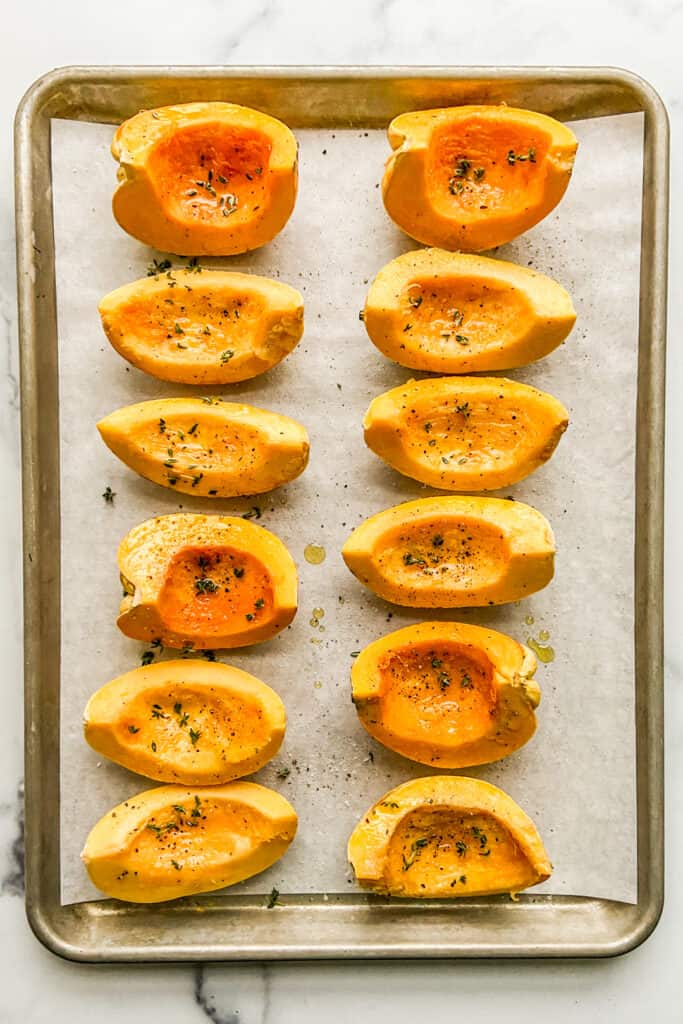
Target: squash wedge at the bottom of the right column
{"x": 446, "y": 836}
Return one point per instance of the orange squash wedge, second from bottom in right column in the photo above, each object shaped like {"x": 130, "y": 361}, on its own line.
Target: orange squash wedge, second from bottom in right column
{"x": 448, "y": 695}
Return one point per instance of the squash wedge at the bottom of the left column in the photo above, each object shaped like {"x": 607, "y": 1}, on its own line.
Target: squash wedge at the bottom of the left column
{"x": 173, "y": 841}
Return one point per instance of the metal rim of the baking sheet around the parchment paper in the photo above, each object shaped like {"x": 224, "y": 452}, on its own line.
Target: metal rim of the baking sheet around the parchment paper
{"x": 207, "y": 929}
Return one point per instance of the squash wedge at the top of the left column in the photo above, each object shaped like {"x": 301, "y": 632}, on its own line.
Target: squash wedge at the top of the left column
{"x": 204, "y": 179}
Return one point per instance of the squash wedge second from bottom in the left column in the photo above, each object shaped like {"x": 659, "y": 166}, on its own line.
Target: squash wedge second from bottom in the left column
{"x": 240, "y": 721}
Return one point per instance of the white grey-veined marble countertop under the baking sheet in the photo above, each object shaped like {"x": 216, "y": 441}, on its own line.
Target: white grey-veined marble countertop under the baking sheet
{"x": 37, "y": 987}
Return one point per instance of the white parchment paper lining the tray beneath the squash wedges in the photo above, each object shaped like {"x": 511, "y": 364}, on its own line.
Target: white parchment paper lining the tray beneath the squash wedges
{"x": 577, "y": 778}
